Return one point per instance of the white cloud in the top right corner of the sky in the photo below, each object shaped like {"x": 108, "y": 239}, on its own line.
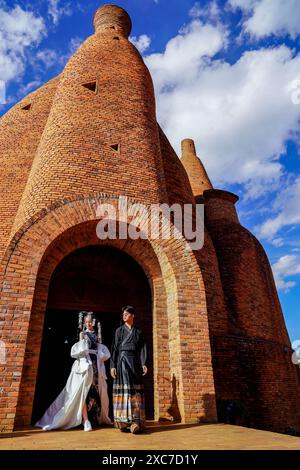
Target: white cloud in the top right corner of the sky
{"x": 267, "y": 17}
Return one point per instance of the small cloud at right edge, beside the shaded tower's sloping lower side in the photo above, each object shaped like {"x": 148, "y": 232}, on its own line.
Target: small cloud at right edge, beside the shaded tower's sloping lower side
{"x": 286, "y": 267}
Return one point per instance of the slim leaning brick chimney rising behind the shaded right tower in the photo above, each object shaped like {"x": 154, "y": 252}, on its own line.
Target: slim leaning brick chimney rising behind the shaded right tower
{"x": 194, "y": 167}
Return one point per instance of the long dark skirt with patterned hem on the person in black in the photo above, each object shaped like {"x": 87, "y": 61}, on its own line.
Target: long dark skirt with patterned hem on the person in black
{"x": 128, "y": 391}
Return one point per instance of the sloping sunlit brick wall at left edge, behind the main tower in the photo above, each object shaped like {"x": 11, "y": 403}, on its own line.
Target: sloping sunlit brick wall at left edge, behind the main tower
{"x": 20, "y": 133}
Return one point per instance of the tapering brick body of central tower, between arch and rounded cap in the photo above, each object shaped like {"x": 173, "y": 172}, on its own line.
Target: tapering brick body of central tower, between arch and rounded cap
{"x": 75, "y": 155}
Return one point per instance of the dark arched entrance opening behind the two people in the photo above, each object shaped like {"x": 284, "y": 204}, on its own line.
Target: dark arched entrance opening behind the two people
{"x": 99, "y": 279}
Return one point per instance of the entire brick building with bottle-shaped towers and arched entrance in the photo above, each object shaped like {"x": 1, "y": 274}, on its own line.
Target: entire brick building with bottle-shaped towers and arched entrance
{"x": 218, "y": 343}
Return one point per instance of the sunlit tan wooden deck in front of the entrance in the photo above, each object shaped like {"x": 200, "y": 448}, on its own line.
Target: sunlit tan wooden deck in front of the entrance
{"x": 155, "y": 437}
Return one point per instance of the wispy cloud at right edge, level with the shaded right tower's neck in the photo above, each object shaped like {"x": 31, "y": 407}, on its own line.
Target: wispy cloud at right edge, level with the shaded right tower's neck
{"x": 287, "y": 209}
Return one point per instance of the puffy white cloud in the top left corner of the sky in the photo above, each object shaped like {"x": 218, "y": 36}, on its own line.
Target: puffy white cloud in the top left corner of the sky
{"x": 19, "y": 31}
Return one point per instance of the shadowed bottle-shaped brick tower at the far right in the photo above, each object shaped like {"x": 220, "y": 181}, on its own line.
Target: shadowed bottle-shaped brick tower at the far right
{"x": 252, "y": 364}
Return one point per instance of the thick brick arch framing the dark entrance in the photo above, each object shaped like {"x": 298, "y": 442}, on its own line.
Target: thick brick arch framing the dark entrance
{"x": 182, "y": 357}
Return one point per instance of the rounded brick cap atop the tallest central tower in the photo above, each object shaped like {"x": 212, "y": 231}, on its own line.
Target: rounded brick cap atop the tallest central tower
{"x": 113, "y": 18}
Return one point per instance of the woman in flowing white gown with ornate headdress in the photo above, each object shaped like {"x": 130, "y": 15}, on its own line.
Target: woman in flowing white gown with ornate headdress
{"x": 84, "y": 398}
